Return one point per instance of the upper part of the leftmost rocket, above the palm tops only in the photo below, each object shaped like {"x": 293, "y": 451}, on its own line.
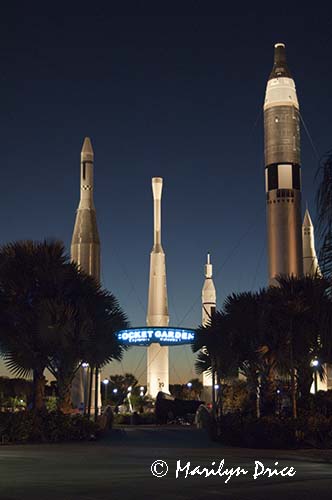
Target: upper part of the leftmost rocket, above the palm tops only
{"x": 85, "y": 245}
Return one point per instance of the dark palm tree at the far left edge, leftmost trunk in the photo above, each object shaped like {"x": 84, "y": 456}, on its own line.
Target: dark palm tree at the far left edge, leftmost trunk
{"x": 28, "y": 275}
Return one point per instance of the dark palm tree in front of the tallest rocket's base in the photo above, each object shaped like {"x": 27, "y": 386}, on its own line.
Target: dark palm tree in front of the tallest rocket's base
{"x": 295, "y": 319}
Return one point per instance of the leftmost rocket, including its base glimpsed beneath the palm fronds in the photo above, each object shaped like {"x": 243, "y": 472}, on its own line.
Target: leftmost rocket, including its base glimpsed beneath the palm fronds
{"x": 85, "y": 251}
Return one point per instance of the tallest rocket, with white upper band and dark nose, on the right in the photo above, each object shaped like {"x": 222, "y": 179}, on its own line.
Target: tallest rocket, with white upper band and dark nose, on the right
{"x": 282, "y": 170}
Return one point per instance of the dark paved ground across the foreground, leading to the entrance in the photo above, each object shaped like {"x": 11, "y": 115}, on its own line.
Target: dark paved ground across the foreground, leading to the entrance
{"x": 119, "y": 467}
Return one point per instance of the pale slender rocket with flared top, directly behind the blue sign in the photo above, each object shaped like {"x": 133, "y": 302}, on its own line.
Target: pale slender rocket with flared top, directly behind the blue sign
{"x": 157, "y": 313}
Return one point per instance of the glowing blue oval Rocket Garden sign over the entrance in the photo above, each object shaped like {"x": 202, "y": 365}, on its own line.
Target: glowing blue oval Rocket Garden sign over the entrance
{"x": 163, "y": 336}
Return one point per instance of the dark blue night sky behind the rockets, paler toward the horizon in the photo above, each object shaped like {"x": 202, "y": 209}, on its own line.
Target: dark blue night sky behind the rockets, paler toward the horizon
{"x": 172, "y": 94}
